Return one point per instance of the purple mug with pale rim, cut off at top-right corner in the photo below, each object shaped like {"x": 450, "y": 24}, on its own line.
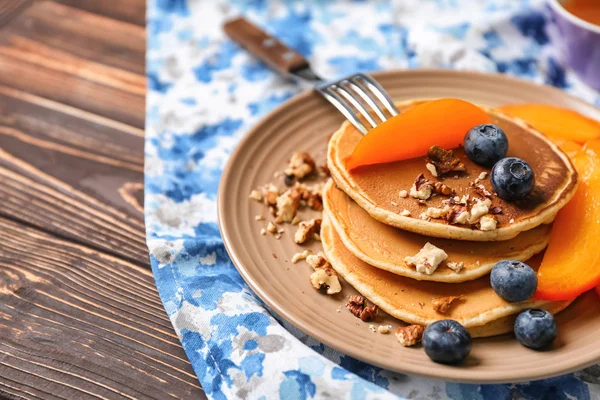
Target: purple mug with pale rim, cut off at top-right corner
{"x": 580, "y": 42}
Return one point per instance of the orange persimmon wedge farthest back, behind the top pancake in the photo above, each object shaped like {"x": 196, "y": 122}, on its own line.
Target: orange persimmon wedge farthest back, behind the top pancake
{"x": 556, "y": 122}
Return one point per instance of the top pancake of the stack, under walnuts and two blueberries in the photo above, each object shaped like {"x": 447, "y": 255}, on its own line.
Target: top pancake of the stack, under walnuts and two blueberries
{"x": 376, "y": 187}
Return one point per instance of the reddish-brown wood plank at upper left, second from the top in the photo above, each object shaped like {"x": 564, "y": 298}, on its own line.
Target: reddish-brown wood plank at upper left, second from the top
{"x": 76, "y": 58}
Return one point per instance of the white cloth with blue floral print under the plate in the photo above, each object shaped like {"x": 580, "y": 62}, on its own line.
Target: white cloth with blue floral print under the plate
{"x": 205, "y": 93}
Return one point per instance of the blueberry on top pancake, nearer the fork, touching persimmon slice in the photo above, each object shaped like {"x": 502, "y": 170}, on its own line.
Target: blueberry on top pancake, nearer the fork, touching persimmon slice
{"x": 486, "y": 144}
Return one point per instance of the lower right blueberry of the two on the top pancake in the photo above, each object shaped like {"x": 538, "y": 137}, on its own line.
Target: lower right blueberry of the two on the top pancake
{"x": 512, "y": 178}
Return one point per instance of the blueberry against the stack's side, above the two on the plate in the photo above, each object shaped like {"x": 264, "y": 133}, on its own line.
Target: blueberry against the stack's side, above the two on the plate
{"x": 513, "y": 280}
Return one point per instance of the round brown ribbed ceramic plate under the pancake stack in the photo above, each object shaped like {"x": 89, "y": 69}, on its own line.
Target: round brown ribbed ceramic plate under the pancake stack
{"x": 305, "y": 123}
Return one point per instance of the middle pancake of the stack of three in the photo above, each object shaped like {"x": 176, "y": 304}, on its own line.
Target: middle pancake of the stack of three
{"x": 385, "y": 247}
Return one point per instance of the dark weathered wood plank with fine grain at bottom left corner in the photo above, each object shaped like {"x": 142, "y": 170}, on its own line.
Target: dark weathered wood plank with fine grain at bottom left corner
{"x": 76, "y": 323}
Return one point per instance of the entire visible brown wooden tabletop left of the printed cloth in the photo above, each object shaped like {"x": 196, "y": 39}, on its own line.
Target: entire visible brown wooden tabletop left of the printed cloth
{"x": 80, "y": 316}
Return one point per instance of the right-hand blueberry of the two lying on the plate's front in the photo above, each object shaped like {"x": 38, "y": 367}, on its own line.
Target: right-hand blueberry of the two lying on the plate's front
{"x": 535, "y": 328}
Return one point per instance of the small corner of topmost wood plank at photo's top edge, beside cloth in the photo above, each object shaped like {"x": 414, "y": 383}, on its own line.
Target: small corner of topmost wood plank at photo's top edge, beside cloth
{"x": 132, "y": 11}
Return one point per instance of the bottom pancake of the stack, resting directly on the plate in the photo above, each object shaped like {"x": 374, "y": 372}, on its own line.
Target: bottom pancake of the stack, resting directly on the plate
{"x": 401, "y": 297}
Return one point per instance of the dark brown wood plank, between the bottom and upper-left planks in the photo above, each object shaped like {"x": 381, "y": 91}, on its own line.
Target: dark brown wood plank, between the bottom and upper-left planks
{"x": 72, "y": 173}
